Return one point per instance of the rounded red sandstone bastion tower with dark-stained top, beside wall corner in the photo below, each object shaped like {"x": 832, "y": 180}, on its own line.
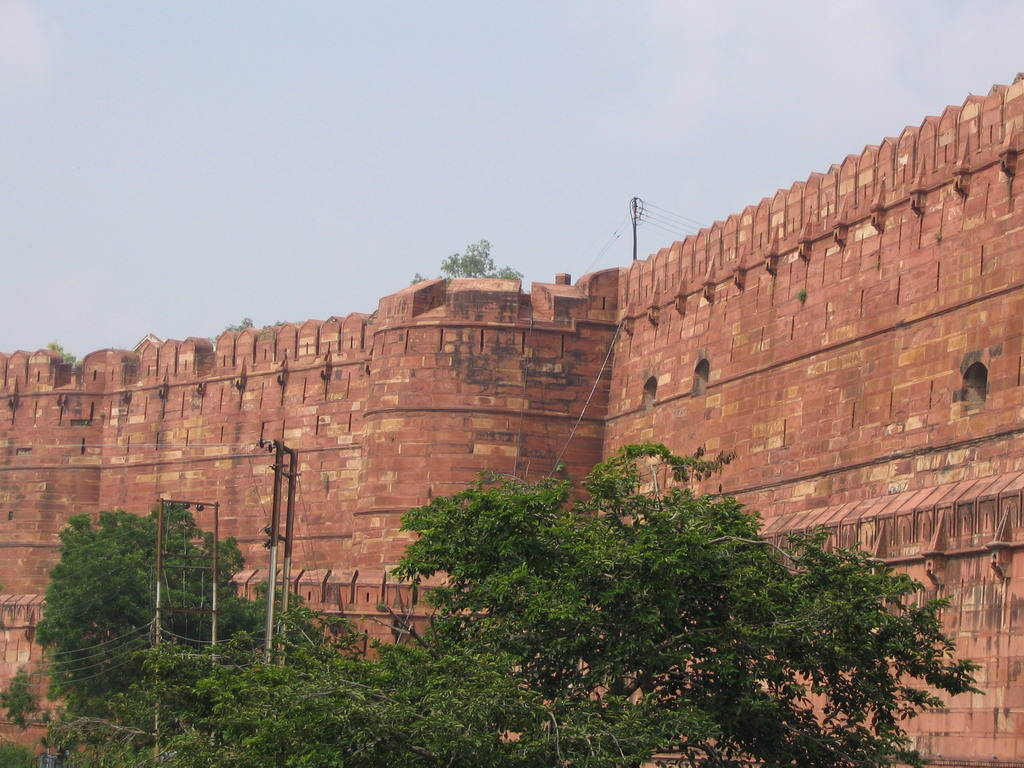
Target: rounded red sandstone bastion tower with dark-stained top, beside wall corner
{"x": 476, "y": 375}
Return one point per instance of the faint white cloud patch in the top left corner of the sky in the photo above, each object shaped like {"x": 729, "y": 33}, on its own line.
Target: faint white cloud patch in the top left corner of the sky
{"x": 27, "y": 49}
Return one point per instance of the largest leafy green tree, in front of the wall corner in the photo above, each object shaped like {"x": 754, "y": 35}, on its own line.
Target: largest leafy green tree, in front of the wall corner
{"x": 648, "y": 593}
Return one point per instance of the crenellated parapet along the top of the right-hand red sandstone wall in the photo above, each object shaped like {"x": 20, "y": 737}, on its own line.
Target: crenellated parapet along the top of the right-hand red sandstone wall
{"x": 925, "y": 168}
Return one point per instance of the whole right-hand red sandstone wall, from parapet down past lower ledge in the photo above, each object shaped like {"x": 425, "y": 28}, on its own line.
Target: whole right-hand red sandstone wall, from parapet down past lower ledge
{"x": 859, "y": 340}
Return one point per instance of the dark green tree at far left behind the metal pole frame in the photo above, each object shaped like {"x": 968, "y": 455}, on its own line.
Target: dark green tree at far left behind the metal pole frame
{"x": 100, "y": 603}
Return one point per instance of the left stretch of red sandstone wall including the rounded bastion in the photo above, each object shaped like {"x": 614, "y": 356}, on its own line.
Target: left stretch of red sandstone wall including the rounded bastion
{"x": 443, "y": 382}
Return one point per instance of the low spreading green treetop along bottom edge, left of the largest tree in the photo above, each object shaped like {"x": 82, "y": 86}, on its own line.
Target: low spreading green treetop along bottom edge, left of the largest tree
{"x": 331, "y": 708}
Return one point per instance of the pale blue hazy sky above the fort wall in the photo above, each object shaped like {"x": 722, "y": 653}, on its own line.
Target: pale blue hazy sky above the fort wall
{"x": 172, "y": 167}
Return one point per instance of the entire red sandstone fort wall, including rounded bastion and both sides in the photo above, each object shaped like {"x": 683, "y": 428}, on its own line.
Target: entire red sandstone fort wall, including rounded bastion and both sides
{"x": 858, "y": 339}
